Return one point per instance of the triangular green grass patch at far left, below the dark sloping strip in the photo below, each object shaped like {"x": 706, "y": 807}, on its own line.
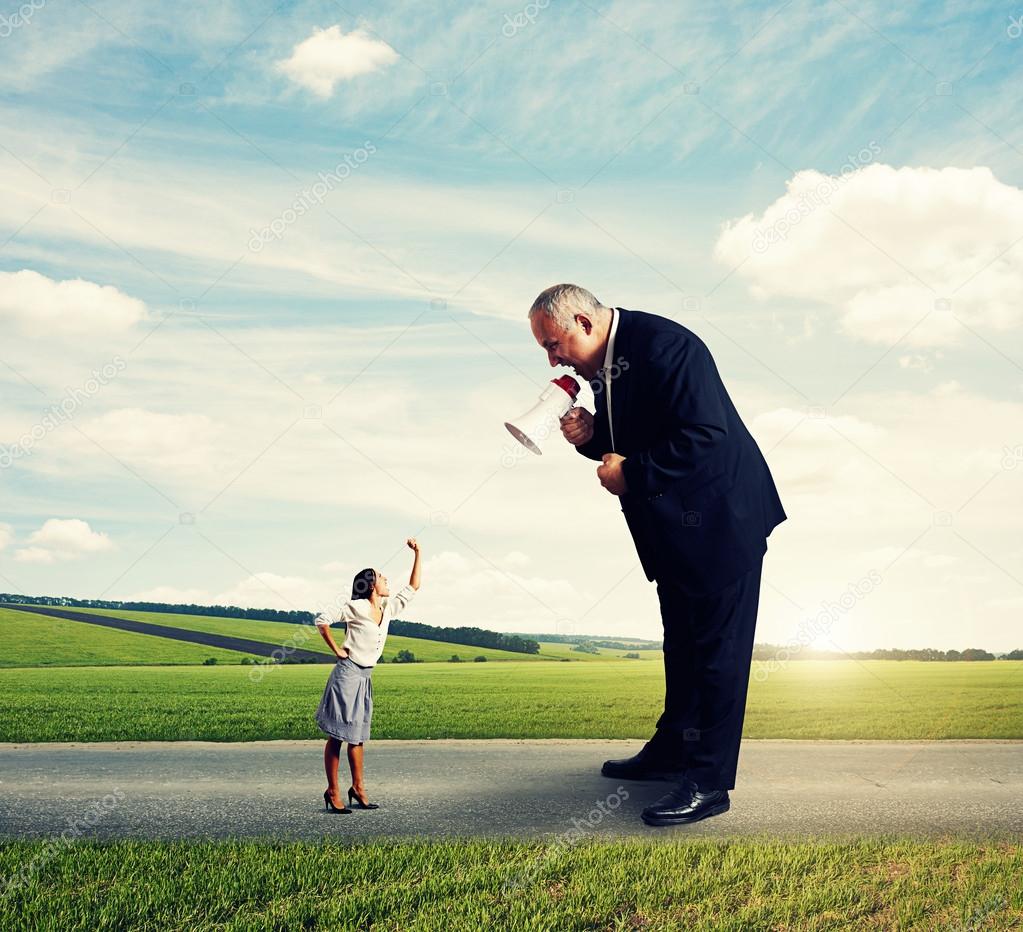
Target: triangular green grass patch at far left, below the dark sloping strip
{"x": 40, "y": 641}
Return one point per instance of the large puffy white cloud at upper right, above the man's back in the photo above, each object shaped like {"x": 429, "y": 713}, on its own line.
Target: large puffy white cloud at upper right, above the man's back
{"x": 889, "y": 250}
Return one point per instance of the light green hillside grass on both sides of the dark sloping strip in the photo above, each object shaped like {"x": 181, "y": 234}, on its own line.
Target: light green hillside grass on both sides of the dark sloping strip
{"x": 40, "y": 640}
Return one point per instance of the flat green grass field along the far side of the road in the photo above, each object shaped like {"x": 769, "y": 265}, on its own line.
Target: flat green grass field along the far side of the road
{"x": 807, "y": 700}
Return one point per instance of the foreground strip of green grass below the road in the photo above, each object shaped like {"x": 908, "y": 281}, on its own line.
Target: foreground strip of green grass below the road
{"x": 700, "y": 884}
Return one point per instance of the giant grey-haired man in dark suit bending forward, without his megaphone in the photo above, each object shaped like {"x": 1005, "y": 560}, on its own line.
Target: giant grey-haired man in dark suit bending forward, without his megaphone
{"x": 700, "y": 504}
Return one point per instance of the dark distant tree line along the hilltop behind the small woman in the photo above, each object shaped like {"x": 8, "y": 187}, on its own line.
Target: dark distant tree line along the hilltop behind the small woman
{"x": 477, "y": 638}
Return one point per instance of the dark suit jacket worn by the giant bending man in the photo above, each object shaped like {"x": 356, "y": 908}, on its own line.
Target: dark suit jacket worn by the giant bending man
{"x": 701, "y": 501}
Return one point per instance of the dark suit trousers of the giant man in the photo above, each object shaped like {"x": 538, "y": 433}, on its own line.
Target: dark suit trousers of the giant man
{"x": 708, "y": 649}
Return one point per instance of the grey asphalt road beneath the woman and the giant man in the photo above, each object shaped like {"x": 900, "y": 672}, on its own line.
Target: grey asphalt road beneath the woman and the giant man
{"x": 533, "y": 789}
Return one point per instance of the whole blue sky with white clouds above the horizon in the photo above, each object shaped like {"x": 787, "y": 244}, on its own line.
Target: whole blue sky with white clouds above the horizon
{"x": 265, "y": 271}
